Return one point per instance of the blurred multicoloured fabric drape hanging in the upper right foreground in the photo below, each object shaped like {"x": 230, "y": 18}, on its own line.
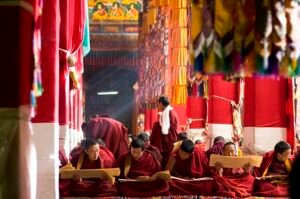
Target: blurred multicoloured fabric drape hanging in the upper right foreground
{"x": 249, "y": 37}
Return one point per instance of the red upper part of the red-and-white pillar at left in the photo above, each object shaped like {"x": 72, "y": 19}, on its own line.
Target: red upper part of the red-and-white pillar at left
{"x": 47, "y": 104}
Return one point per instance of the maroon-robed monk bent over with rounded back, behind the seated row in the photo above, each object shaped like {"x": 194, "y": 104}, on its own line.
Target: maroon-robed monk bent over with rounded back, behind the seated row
{"x": 111, "y": 131}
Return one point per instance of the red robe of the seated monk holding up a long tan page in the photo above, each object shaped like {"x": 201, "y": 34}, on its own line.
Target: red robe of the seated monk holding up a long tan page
{"x": 234, "y": 184}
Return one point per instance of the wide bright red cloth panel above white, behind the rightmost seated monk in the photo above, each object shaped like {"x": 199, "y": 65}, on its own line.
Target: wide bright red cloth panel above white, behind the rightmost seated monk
{"x": 265, "y": 102}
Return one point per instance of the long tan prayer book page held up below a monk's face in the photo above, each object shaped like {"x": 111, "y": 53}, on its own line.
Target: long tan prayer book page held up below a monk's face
{"x": 235, "y": 161}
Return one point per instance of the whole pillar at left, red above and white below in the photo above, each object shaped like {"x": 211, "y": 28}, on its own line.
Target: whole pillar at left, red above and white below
{"x": 45, "y": 122}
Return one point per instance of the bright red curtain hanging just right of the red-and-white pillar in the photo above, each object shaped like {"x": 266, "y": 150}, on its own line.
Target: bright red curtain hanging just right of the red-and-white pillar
{"x": 71, "y": 36}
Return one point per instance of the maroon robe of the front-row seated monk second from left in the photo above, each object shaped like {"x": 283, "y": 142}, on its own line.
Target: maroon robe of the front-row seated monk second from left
{"x": 147, "y": 165}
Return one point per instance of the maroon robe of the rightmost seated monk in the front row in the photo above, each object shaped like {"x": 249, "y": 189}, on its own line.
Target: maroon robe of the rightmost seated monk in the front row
{"x": 271, "y": 166}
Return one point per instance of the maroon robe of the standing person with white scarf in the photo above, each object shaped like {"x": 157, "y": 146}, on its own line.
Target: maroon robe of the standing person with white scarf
{"x": 165, "y": 142}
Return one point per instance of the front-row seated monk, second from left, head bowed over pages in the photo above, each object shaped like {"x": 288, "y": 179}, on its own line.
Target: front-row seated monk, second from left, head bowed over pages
{"x": 140, "y": 164}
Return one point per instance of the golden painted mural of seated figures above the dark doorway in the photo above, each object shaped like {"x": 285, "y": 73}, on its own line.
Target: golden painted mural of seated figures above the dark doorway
{"x": 115, "y": 10}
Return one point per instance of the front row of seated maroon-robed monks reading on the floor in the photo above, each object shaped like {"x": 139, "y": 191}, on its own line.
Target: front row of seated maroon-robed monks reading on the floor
{"x": 187, "y": 162}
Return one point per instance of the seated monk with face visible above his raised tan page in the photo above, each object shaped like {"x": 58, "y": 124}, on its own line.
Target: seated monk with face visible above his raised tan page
{"x": 231, "y": 182}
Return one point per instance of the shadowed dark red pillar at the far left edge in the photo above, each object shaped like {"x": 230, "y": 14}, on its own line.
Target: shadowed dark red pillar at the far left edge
{"x": 16, "y": 53}
